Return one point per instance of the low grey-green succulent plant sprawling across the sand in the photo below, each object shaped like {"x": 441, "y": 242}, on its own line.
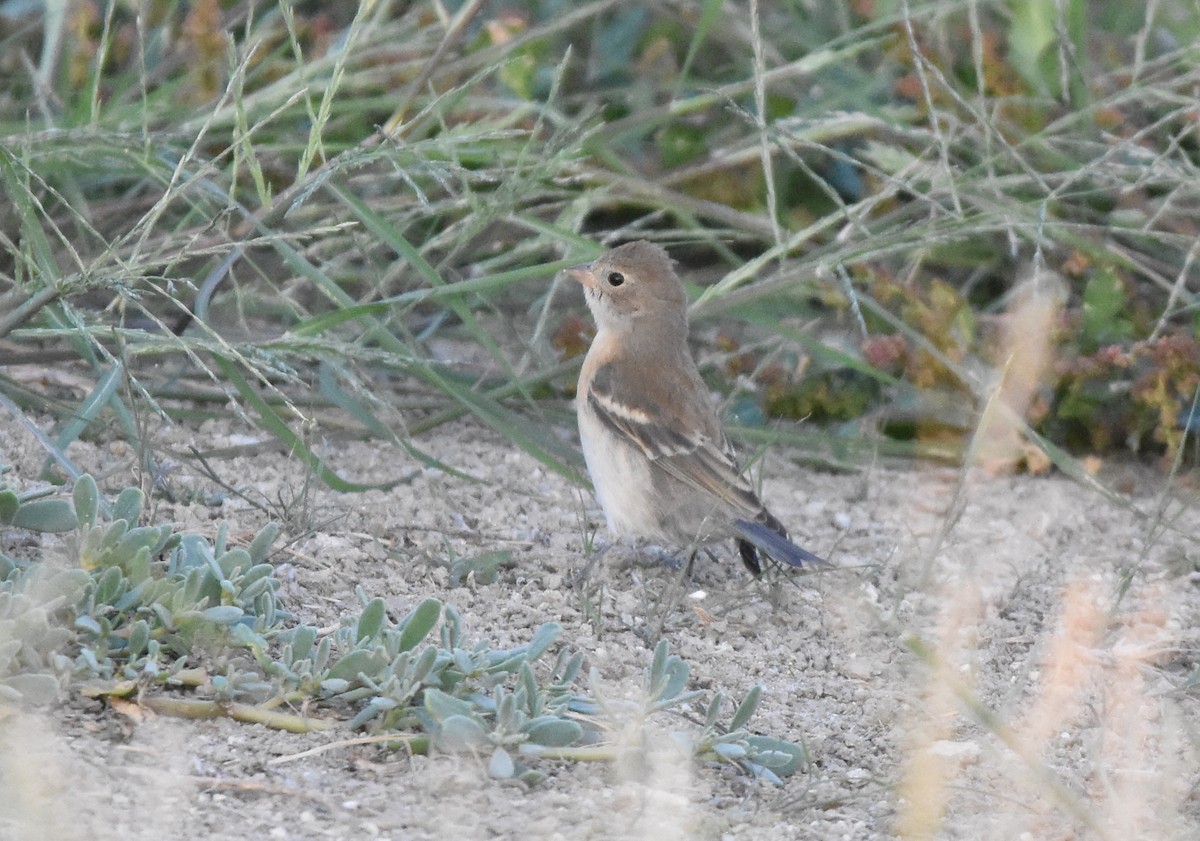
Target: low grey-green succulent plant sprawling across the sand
{"x": 148, "y": 608}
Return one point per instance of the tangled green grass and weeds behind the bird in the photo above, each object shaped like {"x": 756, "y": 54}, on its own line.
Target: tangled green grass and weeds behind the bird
{"x": 349, "y": 220}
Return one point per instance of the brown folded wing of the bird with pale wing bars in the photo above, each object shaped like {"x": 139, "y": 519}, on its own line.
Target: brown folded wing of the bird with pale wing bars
{"x": 682, "y": 437}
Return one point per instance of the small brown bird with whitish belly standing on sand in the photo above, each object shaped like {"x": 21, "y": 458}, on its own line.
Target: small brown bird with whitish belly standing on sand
{"x": 659, "y": 460}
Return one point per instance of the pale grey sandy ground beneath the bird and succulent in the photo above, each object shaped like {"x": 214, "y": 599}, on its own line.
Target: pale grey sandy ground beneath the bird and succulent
{"x": 974, "y": 669}
